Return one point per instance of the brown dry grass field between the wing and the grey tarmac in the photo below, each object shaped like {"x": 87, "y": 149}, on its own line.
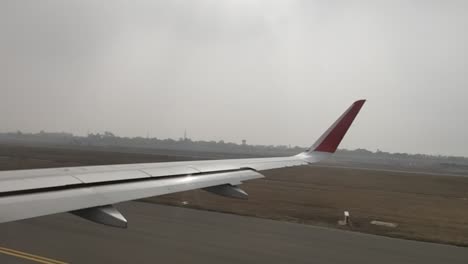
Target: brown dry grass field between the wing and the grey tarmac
{"x": 425, "y": 207}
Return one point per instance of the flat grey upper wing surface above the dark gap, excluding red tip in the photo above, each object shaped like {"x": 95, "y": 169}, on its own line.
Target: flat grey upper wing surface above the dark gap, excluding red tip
{"x": 14, "y": 181}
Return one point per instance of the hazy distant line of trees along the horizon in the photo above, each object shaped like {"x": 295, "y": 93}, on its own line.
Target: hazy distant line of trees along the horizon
{"x": 110, "y": 139}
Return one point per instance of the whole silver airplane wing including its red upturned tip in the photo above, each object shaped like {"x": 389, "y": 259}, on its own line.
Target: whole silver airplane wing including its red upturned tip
{"x": 91, "y": 191}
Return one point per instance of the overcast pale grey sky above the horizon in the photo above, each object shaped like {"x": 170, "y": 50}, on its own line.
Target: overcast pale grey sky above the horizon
{"x": 272, "y": 72}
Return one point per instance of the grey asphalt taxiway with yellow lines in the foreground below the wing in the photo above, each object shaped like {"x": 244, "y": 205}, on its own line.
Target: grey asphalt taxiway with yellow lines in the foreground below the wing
{"x": 163, "y": 234}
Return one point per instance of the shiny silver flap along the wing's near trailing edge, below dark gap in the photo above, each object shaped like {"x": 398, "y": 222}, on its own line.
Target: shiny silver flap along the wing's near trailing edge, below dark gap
{"x": 17, "y": 207}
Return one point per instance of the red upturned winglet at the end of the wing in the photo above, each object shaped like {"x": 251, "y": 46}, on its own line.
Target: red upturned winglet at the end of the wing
{"x": 330, "y": 140}
